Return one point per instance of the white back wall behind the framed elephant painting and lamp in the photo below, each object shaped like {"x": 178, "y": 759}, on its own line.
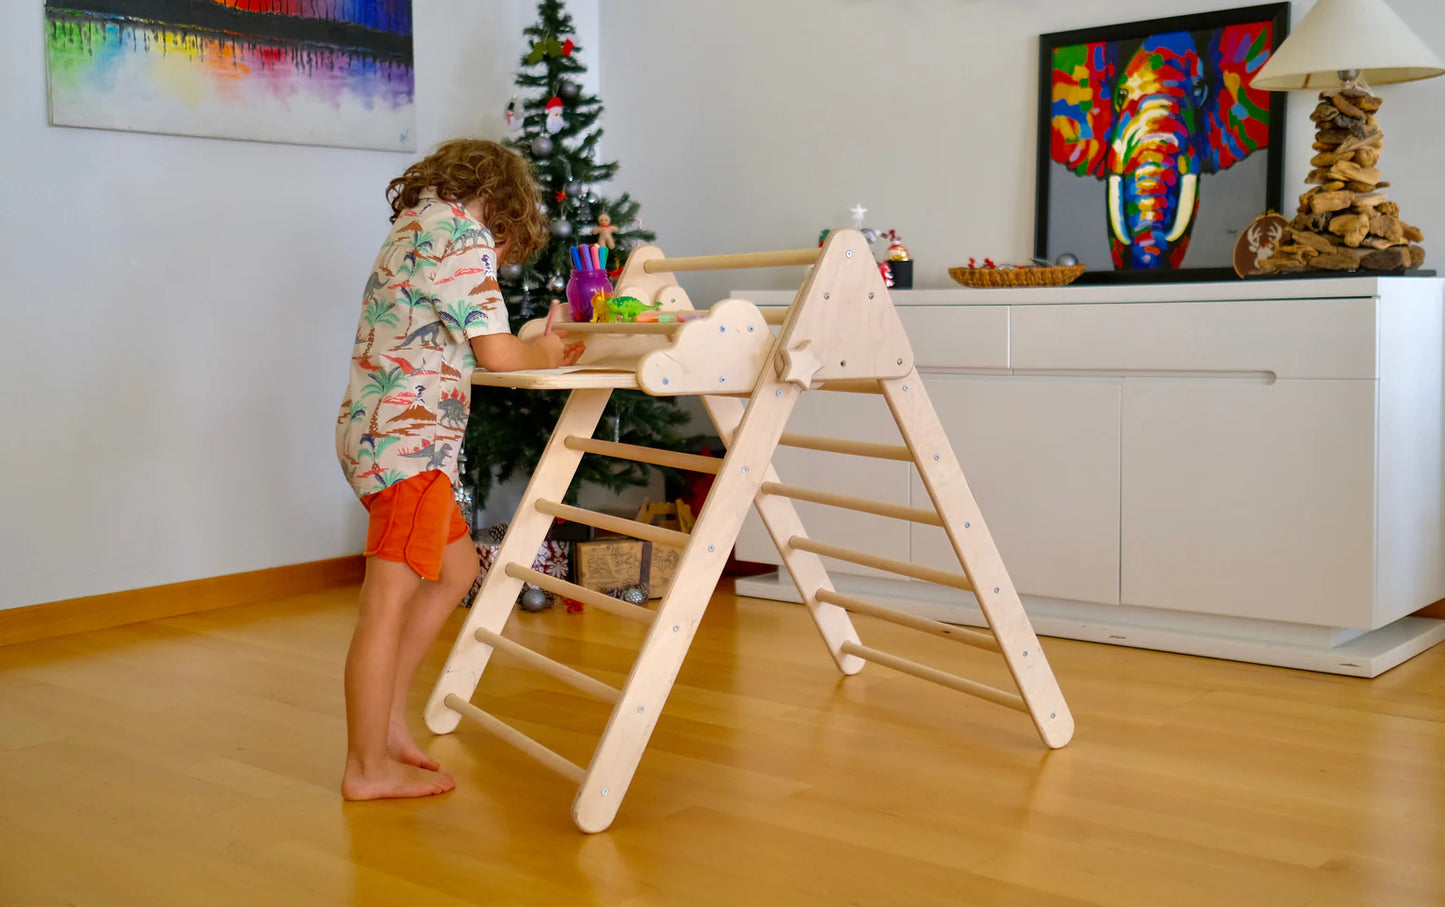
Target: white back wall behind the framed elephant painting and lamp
{"x": 754, "y": 123}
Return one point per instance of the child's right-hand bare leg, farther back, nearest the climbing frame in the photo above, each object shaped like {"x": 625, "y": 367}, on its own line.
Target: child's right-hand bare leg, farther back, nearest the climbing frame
{"x": 427, "y": 612}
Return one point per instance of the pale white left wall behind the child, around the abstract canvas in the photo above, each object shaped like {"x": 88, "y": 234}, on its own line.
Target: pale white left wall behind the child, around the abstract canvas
{"x": 180, "y": 314}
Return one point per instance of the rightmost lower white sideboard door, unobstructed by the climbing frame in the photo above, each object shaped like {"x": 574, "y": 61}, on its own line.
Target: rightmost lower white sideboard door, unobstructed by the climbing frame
{"x": 1251, "y": 499}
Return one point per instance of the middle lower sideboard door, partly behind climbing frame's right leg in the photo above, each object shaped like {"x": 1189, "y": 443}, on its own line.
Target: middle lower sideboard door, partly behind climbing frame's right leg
{"x": 1041, "y": 456}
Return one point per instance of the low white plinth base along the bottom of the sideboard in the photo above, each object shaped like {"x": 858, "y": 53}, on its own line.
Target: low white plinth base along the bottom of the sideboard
{"x": 1320, "y": 649}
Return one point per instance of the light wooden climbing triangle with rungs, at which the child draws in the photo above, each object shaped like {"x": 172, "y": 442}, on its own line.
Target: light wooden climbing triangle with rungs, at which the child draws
{"x": 840, "y": 334}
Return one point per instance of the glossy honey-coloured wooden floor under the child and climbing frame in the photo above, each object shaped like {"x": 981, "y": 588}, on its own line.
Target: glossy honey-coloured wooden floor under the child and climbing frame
{"x": 196, "y": 762}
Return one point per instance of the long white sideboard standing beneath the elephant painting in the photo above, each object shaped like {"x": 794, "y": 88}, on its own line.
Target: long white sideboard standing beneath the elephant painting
{"x": 1246, "y": 470}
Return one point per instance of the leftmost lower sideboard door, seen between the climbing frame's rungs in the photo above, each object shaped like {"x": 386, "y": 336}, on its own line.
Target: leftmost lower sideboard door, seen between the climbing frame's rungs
{"x": 855, "y": 418}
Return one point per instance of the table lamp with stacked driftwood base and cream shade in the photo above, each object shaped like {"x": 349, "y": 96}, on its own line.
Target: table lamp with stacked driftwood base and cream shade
{"x": 1345, "y": 222}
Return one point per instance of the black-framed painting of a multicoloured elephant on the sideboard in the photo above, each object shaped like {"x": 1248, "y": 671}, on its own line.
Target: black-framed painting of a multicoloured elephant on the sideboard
{"x": 1155, "y": 148}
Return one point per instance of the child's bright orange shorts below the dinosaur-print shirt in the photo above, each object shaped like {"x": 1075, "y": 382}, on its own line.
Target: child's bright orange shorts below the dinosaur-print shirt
{"x": 414, "y": 522}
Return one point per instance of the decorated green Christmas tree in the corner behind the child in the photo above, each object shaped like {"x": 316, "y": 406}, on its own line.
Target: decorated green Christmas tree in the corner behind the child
{"x": 554, "y": 125}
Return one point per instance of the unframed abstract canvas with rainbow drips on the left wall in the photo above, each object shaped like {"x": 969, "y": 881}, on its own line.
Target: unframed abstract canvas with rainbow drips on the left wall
{"x": 301, "y": 71}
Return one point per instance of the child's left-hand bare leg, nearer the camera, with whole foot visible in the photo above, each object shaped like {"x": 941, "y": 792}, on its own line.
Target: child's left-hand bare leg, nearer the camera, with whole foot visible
{"x": 371, "y": 684}
